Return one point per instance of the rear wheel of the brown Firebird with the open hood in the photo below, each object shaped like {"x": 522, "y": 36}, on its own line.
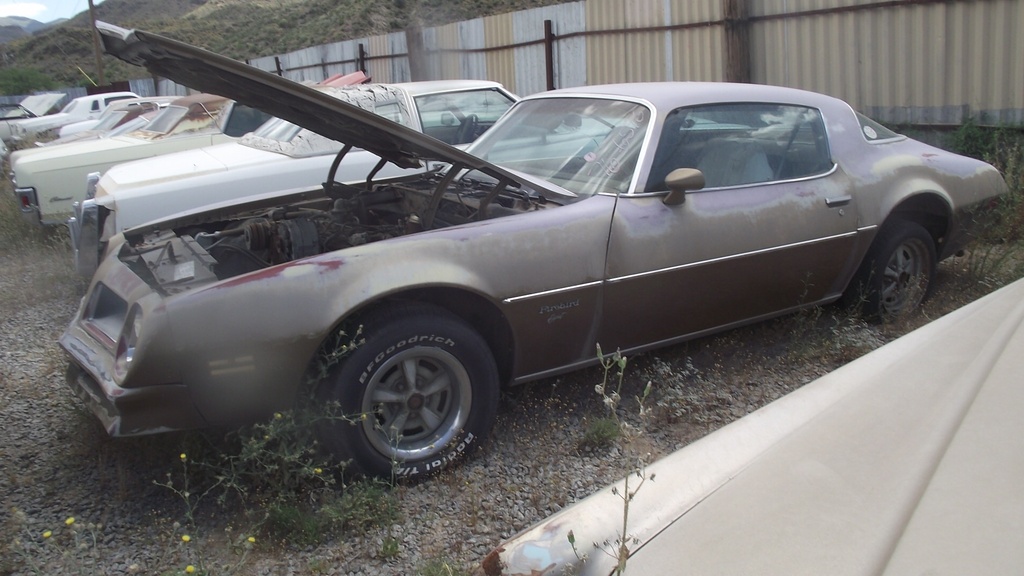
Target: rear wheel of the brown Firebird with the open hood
{"x": 898, "y": 273}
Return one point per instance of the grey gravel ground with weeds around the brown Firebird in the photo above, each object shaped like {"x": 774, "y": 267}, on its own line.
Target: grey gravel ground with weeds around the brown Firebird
{"x": 57, "y": 463}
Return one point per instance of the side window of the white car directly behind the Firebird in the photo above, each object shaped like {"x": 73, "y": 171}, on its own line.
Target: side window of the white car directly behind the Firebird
{"x": 459, "y": 118}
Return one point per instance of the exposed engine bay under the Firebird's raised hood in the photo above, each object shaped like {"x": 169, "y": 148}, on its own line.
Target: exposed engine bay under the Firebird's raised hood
{"x": 345, "y": 216}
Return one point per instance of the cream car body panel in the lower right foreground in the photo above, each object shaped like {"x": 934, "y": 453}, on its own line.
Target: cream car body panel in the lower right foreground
{"x": 905, "y": 462}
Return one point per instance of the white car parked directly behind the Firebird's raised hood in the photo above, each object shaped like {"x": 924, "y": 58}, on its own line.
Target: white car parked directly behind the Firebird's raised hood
{"x": 279, "y": 156}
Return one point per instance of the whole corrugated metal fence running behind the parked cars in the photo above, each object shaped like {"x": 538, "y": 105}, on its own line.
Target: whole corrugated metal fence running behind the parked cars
{"x": 921, "y": 62}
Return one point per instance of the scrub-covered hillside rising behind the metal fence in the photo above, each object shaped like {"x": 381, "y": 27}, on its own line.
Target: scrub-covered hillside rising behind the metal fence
{"x": 241, "y": 29}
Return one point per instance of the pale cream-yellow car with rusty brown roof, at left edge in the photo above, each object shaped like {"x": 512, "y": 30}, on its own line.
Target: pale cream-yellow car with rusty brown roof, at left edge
{"x": 49, "y": 181}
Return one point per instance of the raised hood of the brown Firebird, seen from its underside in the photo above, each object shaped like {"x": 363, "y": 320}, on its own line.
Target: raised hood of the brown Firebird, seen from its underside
{"x": 301, "y": 105}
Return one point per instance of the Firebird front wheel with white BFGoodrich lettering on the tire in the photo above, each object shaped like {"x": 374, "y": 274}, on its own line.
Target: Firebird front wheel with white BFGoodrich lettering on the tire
{"x": 424, "y": 388}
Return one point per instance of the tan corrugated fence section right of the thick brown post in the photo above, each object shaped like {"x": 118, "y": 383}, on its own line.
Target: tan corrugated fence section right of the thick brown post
{"x": 930, "y": 63}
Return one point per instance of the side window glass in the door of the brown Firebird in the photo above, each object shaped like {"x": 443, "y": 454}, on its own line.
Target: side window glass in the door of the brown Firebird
{"x": 742, "y": 144}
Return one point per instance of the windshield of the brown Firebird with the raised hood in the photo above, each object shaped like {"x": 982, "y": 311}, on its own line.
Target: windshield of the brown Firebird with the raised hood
{"x": 586, "y": 146}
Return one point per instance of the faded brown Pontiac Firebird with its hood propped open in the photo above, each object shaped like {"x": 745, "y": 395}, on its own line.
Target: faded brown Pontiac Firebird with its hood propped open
{"x": 632, "y": 216}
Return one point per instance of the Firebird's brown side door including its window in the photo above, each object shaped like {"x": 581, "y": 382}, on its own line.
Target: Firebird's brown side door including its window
{"x": 774, "y": 229}
